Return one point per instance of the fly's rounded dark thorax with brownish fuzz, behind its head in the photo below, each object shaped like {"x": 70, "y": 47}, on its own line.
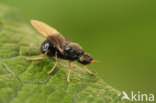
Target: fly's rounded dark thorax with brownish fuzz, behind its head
{"x": 73, "y": 50}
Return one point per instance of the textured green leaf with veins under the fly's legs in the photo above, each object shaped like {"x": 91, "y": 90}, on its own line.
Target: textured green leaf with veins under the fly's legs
{"x": 23, "y": 81}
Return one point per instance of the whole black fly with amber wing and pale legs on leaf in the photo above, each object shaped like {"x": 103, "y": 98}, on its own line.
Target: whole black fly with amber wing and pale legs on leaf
{"x": 59, "y": 46}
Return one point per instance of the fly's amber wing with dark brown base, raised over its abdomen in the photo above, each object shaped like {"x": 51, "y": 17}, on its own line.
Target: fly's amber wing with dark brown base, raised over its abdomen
{"x": 50, "y": 33}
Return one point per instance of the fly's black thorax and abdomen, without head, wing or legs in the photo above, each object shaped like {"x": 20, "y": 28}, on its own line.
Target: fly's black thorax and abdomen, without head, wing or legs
{"x": 71, "y": 50}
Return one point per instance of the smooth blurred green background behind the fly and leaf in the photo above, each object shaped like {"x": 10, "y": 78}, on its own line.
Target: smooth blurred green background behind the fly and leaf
{"x": 120, "y": 34}
